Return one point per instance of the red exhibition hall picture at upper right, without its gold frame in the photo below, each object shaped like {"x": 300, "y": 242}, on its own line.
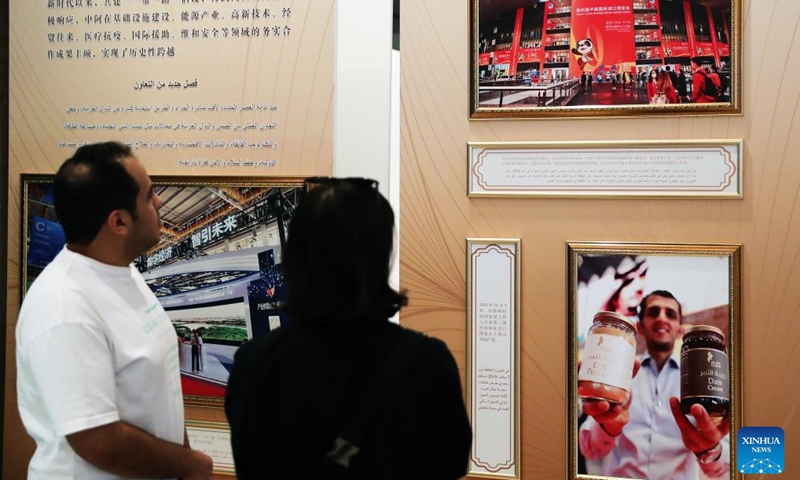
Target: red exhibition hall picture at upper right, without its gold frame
{"x": 581, "y": 52}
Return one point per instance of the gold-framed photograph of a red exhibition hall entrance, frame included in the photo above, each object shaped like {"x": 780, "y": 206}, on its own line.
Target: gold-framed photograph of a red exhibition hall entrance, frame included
{"x": 586, "y": 58}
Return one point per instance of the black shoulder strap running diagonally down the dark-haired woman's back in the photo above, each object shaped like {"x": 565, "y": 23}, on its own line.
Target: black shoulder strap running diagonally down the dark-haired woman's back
{"x": 351, "y": 438}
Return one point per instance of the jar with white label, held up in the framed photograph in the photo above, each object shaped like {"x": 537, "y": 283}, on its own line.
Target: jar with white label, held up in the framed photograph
{"x": 608, "y": 356}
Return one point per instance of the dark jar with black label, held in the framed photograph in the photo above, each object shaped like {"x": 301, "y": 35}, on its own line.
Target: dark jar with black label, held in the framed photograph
{"x": 704, "y": 371}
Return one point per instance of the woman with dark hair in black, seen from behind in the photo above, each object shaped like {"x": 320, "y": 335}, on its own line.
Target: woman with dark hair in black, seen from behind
{"x": 342, "y": 392}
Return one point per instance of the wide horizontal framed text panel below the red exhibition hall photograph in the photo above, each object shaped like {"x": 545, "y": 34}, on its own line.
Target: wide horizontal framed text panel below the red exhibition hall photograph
{"x": 610, "y": 169}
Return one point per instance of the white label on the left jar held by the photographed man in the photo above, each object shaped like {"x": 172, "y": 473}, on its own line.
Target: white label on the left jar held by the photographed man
{"x": 607, "y": 359}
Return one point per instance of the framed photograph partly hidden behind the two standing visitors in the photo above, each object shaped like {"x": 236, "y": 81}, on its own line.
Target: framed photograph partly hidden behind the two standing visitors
{"x": 216, "y": 271}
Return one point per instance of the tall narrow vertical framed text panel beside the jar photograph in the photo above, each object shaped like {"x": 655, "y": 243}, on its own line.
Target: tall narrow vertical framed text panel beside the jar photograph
{"x": 493, "y": 356}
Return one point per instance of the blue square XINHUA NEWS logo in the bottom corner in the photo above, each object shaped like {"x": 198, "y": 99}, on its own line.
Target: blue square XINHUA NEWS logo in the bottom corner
{"x": 760, "y": 450}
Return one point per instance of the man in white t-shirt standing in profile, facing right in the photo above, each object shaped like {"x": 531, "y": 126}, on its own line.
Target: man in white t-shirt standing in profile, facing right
{"x": 98, "y": 378}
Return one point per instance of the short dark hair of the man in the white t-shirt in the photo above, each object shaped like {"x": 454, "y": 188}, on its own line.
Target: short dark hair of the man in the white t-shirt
{"x": 89, "y": 186}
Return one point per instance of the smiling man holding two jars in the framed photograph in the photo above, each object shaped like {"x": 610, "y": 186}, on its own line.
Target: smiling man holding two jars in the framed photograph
{"x": 649, "y": 437}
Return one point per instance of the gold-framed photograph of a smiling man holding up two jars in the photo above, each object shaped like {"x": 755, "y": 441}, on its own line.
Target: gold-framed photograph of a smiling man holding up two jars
{"x": 654, "y": 360}
